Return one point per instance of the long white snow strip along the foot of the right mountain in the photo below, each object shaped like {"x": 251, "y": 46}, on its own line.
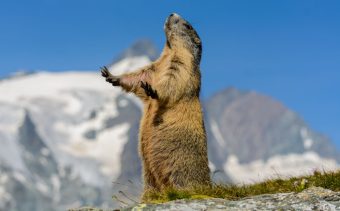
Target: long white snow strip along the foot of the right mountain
{"x": 277, "y": 166}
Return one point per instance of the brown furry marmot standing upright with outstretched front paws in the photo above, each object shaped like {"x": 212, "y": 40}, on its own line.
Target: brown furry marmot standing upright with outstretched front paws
{"x": 172, "y": 144}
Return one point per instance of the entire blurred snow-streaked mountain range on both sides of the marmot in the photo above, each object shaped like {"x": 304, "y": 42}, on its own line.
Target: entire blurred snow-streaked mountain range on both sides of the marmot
{"x": 70, "y": 139}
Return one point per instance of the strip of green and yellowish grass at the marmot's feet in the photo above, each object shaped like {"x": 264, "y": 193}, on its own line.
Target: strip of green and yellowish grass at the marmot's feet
{"x": 328, "y": 180}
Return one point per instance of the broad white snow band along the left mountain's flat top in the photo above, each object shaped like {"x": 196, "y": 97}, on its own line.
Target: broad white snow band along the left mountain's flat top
{"x": 49, "y": 85}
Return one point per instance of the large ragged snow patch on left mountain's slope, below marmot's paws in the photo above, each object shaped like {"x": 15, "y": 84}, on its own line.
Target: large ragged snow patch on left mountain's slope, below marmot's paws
{"x": 105, "y": 149}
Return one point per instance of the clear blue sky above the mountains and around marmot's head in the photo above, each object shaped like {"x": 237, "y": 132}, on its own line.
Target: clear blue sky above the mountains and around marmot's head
{"x": 289, "y": 50}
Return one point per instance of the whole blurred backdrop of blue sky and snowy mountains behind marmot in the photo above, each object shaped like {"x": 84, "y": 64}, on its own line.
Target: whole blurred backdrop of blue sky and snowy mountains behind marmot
{"x": 270, "y": 71}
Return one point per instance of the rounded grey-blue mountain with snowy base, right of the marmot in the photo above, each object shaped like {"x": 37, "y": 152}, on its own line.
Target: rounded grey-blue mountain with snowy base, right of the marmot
{"x": 253, "y": 137}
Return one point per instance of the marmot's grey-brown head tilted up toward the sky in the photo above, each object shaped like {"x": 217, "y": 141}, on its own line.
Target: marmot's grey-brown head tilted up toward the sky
{"x": 180, "y": 34}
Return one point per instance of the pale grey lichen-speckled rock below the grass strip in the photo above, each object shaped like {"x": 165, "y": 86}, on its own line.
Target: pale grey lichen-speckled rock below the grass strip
{"x": 314, "y": 198}
